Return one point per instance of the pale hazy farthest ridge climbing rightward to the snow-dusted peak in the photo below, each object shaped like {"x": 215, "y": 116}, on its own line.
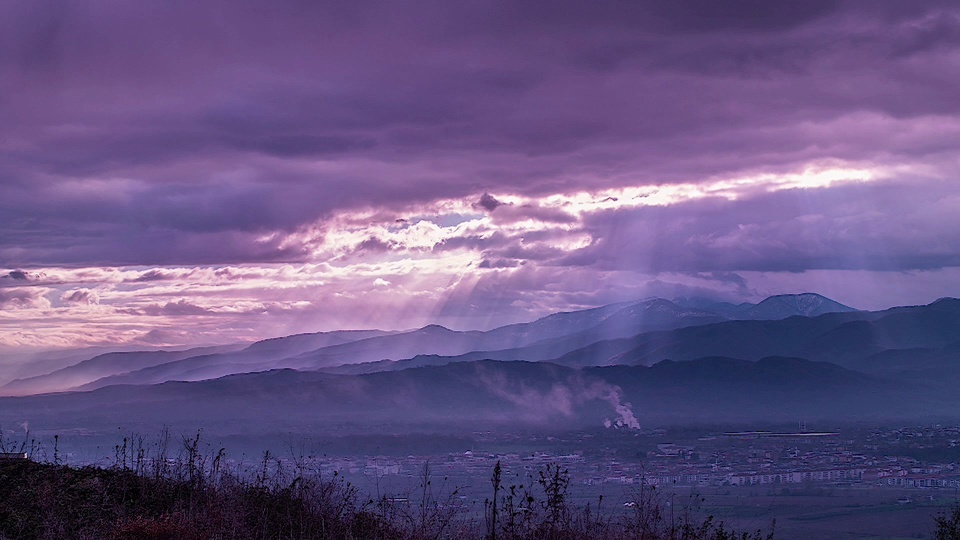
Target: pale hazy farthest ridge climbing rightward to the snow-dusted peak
{"x": 548, "y": 338}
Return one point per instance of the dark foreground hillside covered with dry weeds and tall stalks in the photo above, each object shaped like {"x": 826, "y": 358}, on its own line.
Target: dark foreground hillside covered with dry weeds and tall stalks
{"x": 197, "y": 497}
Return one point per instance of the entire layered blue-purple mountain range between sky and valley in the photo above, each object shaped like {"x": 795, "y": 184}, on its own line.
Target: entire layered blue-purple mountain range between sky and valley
{"x": 625, "y": 364}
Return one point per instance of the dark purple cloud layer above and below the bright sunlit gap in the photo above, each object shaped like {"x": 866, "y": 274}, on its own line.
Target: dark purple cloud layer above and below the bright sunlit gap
{"x": 191, "y": 134}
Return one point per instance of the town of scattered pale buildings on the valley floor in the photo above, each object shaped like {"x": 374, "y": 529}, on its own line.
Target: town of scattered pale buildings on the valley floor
{"x": 925, "y": 457}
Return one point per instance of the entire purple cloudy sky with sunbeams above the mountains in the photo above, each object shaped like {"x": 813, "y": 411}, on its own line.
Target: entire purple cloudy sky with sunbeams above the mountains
{"x": 177, "y": 173}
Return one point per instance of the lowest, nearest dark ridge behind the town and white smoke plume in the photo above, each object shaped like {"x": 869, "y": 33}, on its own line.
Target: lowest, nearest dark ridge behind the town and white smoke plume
{"x": 469, "y": 394}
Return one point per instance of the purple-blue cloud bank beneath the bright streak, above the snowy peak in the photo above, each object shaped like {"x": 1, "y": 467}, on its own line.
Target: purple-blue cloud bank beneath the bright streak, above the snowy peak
{"x": 881, "y": 227}
